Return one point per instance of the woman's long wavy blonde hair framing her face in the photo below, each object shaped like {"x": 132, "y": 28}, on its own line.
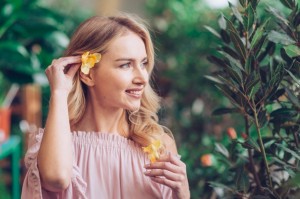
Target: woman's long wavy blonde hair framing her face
{"x": 94, "y": 35}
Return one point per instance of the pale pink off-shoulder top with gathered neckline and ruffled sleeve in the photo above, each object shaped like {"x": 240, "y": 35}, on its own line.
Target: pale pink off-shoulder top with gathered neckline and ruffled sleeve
{"x": 106, "y": 166}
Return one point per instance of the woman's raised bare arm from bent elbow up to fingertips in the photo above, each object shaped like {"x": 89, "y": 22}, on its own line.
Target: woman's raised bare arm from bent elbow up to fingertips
{"x": 55, "y": 154}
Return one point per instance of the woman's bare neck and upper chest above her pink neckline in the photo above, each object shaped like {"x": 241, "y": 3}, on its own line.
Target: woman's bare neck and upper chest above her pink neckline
{"x": 99, "y": 118}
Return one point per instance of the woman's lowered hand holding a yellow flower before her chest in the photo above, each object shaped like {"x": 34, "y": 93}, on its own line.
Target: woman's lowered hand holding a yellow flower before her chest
{"x": 169, "y": 170}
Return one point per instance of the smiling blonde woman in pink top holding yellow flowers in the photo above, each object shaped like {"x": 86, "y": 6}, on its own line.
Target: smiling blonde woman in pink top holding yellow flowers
{"x": 100, "y": 92}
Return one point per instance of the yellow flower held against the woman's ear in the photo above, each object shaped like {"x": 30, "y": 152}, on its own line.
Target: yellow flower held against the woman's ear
{"x": 88, "y": 61}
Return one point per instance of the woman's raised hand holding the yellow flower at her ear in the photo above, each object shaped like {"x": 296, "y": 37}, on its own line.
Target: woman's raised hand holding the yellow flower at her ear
{"x": 61, "y": 72}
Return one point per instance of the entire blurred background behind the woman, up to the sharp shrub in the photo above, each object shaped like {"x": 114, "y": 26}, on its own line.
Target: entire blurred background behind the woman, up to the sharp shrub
{"x": 33, "y": 32}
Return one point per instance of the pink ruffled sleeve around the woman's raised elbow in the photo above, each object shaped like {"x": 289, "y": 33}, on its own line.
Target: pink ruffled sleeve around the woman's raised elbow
{"x": 32, "y": 188}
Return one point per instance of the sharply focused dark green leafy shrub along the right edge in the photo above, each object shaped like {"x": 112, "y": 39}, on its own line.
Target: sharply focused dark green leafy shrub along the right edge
{"x": 259, "y": 63}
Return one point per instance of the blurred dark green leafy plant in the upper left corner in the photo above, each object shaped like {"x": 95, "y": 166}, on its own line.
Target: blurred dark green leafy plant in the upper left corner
{"x": 30, "y": 37}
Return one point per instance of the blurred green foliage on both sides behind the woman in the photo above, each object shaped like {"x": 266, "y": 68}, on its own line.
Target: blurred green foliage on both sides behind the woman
{"x": 32, "y": 34}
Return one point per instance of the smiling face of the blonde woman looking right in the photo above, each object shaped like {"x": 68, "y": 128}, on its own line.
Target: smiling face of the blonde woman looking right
{"x": 121, "y": 75}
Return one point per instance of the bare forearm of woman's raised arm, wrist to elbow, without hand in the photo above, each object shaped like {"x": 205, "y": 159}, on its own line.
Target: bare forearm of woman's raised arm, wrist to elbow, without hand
{"x": 55, "y": 154}
